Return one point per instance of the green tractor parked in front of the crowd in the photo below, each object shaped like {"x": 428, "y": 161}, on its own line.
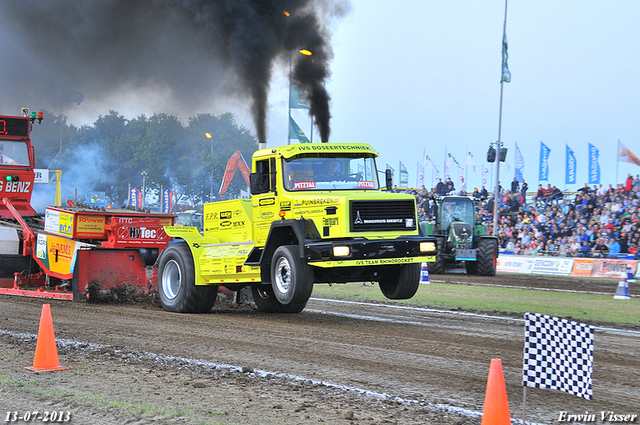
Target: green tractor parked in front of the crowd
{"x": 460, "y": 237}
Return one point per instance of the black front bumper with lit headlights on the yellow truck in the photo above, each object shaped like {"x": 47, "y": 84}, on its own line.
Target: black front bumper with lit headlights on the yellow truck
{"x": 364, "y": 252}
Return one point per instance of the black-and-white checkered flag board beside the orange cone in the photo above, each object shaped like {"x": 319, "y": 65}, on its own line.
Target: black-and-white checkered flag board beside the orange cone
{"x": 558, "y": 354}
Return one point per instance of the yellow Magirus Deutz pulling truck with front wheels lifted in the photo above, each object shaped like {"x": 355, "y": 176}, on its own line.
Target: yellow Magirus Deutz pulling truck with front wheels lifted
{"x": 317, "y": 214}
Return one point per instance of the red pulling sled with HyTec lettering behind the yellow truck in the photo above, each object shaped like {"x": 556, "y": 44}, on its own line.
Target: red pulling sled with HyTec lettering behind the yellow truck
{"x": 75, "y": 251}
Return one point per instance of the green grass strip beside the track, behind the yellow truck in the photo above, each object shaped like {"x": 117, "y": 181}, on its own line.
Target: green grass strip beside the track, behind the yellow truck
{"x": 575, "y": 306}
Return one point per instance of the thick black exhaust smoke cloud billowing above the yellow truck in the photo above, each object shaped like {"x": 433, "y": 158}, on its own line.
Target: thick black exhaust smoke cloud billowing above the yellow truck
{"x": 179, "y": 54}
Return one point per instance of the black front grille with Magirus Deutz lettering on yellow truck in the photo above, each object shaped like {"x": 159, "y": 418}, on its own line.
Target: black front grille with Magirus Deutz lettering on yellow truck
{"x": 387, "y": 215}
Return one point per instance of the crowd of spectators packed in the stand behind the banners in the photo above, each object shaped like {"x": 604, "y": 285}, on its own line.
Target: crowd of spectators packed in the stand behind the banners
{"x": 591, "y": 222}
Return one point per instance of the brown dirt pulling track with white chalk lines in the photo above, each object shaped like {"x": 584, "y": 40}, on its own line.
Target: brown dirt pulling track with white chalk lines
{"x": 336, "y": 362}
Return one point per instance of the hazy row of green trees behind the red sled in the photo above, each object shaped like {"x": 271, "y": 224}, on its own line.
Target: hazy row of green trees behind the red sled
{"x": 111, "y": 154}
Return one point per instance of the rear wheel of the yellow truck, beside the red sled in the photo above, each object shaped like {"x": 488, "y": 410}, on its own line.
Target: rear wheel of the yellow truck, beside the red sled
{"x": 176, "y": 283}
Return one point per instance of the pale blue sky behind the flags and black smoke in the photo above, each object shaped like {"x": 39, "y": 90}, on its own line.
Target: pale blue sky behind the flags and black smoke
{"x": 416, "y": 75}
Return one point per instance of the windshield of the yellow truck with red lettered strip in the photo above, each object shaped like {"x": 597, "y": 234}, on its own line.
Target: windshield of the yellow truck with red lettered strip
{"x": 330, "y": 173}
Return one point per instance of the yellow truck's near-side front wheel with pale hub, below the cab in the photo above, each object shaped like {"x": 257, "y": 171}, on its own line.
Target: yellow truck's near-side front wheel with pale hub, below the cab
{"x": 291, "y": 278}
